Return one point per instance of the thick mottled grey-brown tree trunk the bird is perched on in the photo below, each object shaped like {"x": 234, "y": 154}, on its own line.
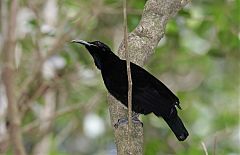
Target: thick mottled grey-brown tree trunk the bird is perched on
{"x": 141, "y": 44}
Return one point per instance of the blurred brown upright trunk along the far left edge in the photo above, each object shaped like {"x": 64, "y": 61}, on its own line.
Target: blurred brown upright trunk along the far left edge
{"x": 8, "y": 79}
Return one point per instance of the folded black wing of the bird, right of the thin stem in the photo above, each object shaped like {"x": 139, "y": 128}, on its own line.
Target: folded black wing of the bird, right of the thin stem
{"x": 150, "y": 94}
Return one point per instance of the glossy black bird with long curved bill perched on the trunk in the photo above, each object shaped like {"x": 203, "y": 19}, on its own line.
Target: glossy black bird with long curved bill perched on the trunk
{"x": 149, "y": 95}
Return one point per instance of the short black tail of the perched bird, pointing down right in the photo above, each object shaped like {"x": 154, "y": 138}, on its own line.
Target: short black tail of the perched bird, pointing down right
{"x": 176, "y": 125}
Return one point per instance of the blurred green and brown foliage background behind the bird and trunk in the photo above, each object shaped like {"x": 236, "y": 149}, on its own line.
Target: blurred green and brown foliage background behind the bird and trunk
{"x": 61, "y": 96}
